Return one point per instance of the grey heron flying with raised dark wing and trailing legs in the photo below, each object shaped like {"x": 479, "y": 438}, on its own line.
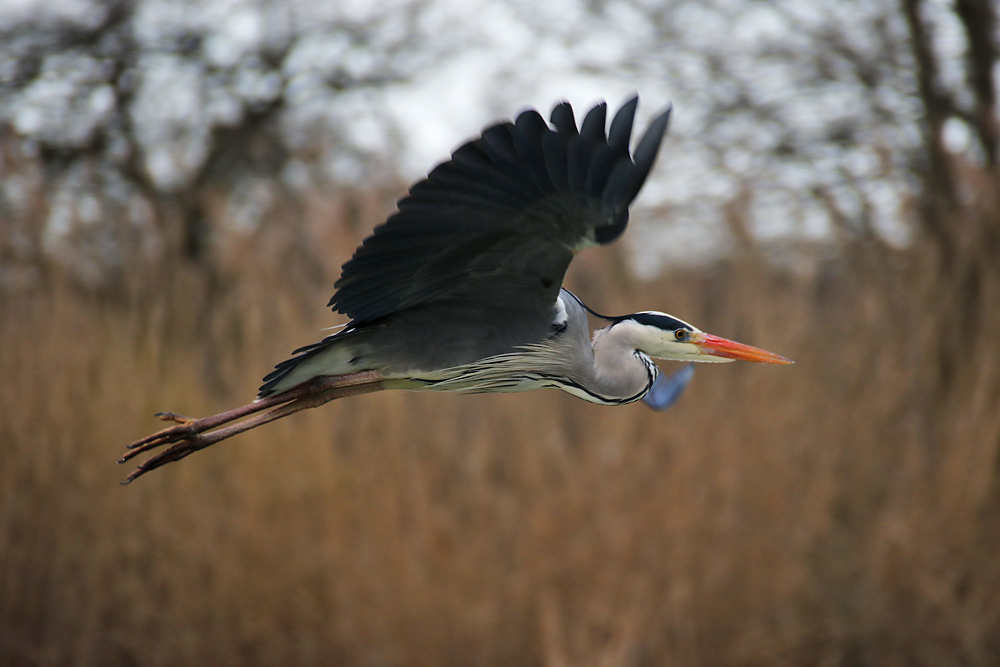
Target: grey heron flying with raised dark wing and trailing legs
{"x": 461, "y": 289}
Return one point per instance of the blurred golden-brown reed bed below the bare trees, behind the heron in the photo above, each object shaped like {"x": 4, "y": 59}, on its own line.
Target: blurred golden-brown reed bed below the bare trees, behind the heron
{"x": 840, "y": 511}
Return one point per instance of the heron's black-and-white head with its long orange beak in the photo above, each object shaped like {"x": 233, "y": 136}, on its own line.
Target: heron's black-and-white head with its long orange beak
{"x": 664, "y": 336}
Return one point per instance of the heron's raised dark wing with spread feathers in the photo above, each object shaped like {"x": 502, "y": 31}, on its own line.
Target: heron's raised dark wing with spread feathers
{"x": 501, "y": 220}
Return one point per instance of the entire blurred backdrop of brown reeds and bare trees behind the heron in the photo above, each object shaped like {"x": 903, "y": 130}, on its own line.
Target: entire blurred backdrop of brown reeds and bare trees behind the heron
{"x": 181, "y": 181}
